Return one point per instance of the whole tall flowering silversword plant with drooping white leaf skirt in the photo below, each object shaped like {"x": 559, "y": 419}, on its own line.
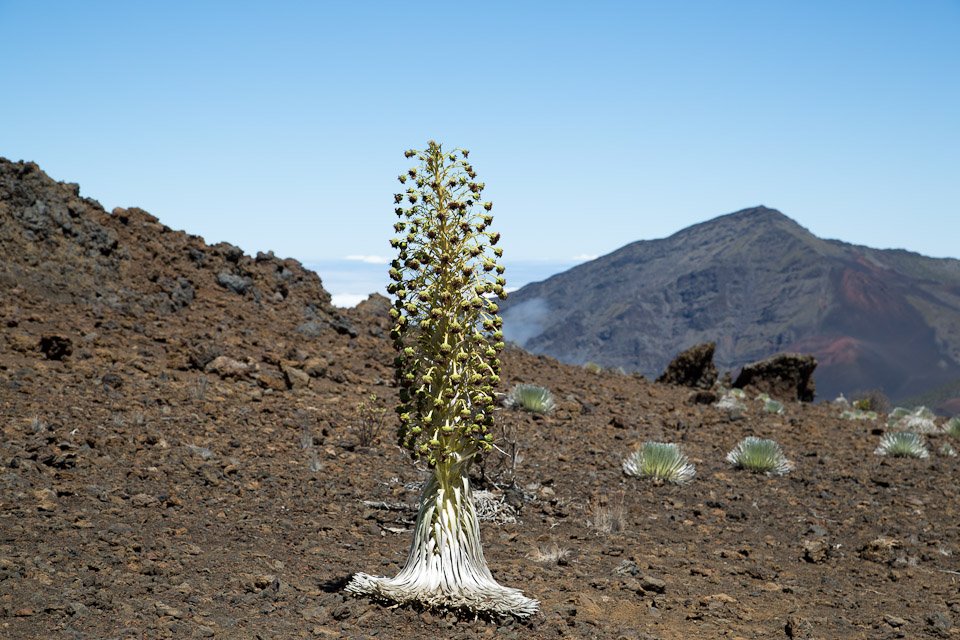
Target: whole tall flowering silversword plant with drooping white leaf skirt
{"x": 448, "y": 338}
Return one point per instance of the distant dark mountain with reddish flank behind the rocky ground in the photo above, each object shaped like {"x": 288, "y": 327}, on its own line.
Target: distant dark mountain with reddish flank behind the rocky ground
{"x": 757, "y": 283}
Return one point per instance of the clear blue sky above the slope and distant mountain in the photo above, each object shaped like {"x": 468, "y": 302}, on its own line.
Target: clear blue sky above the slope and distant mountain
{"x": 281, "y": 125}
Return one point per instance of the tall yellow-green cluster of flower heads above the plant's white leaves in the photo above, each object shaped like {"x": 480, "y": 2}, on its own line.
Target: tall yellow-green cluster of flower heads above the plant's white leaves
{"x": 446, "y": 330}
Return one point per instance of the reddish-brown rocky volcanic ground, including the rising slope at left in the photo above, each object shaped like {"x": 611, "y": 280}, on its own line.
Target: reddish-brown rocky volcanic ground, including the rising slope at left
{"x": 149, "y": 490}
